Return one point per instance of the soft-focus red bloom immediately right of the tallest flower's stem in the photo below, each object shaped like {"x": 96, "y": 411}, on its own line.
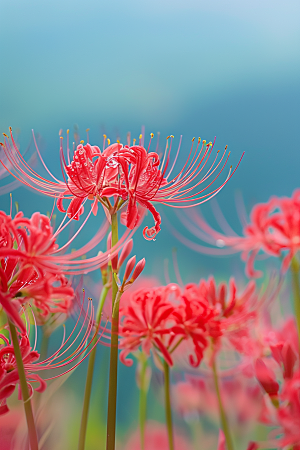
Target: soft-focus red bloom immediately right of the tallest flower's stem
{"x": 161, "y": 318}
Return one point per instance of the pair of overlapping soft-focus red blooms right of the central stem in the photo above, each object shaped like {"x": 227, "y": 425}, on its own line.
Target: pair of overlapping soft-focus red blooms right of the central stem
{"x": 159, "y": 319}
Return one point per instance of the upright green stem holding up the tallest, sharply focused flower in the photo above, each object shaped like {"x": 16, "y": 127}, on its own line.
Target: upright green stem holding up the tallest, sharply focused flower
{"x": 114, "y": 347}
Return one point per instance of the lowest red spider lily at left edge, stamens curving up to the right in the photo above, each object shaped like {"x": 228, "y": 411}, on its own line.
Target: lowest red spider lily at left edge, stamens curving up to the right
{"x": 72, "y": 351}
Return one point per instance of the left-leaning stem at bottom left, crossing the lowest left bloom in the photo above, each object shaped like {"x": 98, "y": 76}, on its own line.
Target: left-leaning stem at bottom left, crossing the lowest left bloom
{"x": 32, "y": 435}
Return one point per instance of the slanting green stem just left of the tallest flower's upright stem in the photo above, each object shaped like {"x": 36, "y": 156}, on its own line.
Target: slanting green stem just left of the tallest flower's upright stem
{"x": 90, "y": 373}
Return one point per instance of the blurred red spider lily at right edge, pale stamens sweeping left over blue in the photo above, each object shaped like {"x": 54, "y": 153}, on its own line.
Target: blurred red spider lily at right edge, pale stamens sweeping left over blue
{"x": 274, "y": 228}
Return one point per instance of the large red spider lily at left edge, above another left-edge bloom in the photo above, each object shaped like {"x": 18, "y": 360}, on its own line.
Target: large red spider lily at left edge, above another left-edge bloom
{"x": 32, "y": 267}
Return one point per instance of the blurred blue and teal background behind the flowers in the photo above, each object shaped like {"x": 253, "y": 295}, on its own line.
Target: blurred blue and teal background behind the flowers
{"x": 193, "y": 68}
